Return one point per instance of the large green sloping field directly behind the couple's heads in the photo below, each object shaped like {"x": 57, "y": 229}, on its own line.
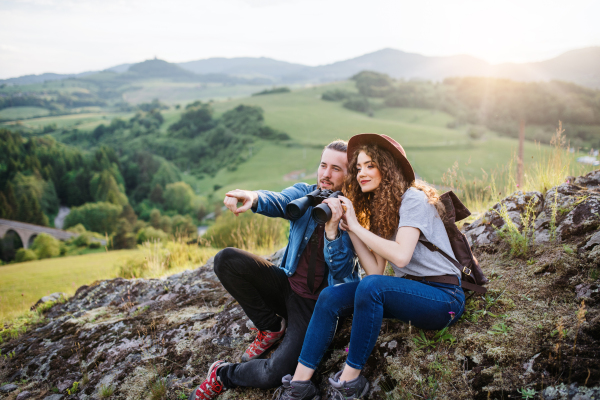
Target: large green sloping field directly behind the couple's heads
{"x": 432, "y": 148}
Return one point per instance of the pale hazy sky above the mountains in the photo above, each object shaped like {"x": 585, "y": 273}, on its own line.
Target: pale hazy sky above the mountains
{"x": 67, "y": 36}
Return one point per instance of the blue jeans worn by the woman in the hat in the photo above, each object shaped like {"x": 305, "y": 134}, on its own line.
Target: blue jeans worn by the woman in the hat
{"x": 426, "y": 305}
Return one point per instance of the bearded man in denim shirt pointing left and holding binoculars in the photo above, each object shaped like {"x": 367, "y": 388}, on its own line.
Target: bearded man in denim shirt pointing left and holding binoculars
{"x": 280, "y": 301}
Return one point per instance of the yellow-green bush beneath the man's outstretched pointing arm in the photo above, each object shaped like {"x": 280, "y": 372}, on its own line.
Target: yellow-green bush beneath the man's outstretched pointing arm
{"x": 249, "y": 231}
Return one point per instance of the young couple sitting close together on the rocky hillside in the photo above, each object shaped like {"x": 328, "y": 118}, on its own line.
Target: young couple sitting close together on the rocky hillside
{"x": 384, "y": 217}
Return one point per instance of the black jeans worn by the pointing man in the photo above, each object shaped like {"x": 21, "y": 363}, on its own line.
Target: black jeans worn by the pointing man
{"x": 263, "y": 291}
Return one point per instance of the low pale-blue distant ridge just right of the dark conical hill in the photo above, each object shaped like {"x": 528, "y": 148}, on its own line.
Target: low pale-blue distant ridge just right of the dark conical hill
{"x": 246, "y": 67}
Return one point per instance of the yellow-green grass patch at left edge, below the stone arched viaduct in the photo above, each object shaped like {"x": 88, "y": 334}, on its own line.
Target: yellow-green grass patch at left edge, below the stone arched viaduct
{"x": 25, "y": 283}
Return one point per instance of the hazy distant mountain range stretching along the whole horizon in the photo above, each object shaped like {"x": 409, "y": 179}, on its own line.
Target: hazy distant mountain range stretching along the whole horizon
{"x": 579, "y": 66}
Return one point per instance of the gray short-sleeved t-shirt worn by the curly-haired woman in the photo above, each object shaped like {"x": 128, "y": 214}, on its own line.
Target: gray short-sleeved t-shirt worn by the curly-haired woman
{"x": 416, "y": 212}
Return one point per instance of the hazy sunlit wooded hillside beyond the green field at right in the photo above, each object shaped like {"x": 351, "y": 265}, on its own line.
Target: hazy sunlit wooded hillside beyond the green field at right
{"x": 498, "y": 104}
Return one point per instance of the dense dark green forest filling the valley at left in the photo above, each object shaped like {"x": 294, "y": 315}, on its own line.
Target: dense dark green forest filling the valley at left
{"x": 133, "y": 169}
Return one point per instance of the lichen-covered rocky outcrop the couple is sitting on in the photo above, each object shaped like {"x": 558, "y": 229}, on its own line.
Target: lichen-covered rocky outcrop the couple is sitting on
{"x": 536, "y": 332}
